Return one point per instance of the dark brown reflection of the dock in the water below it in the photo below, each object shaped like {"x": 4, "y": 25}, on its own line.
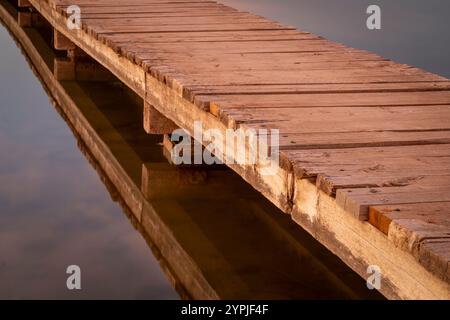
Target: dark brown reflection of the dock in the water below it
{"x": 214, "y": 236}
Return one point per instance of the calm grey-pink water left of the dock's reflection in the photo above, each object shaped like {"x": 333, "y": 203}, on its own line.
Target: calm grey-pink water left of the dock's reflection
{"x": 54, "y": 210}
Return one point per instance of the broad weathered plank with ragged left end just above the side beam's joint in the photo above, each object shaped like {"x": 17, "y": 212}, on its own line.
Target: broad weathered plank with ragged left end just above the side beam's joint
{"x": 376, "y": 166}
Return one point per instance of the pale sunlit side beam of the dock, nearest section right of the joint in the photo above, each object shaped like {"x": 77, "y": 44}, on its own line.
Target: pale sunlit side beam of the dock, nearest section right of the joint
{"x": 320, "y": 215}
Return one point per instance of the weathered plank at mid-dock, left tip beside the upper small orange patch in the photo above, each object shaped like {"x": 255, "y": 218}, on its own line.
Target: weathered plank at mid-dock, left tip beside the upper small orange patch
{"x": 355, "y": 118}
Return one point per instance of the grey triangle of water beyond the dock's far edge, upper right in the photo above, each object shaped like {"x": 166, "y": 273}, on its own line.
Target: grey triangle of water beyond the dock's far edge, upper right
{"x": 414, "y": 32}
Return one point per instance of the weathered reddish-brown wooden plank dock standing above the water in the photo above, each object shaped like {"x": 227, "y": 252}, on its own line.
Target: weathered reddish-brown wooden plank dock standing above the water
{"x": 365, "y": 142}
